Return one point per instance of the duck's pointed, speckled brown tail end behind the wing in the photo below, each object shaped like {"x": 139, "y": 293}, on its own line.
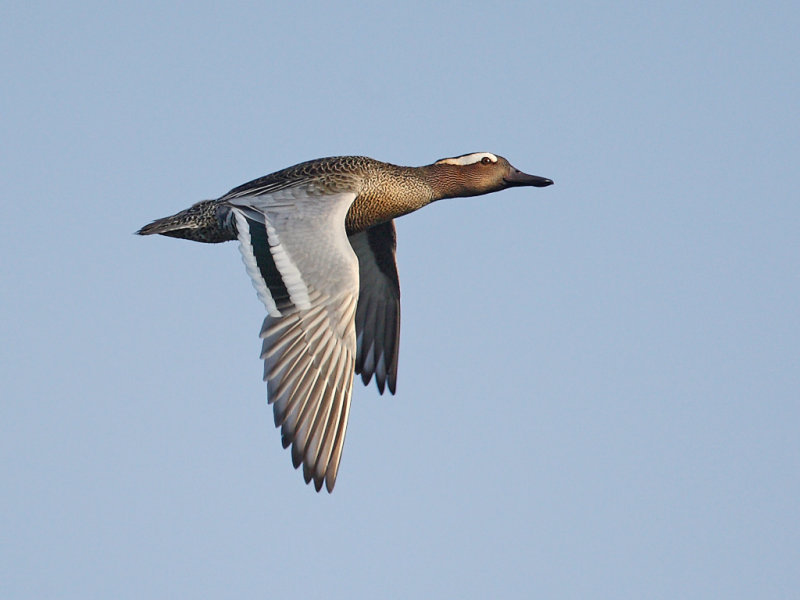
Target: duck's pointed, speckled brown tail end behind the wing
{"x": 200, "y": 222}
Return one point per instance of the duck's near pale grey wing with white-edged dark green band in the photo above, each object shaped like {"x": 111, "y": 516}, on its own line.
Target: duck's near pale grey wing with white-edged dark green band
{"x": 296, "y": 251}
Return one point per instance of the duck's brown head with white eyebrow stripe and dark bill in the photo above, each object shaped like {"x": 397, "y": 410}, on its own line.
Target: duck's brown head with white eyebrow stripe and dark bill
{"x": 475, "y": 174}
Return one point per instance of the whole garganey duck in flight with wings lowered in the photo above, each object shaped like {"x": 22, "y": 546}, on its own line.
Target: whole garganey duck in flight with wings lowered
{"x": 318, "y": 240}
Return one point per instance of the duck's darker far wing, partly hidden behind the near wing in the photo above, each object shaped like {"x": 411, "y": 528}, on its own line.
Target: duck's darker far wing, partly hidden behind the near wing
{"x": 378, "y": 312}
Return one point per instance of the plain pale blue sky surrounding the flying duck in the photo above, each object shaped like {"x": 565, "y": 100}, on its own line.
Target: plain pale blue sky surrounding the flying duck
{"x": 599, "y": 385}
